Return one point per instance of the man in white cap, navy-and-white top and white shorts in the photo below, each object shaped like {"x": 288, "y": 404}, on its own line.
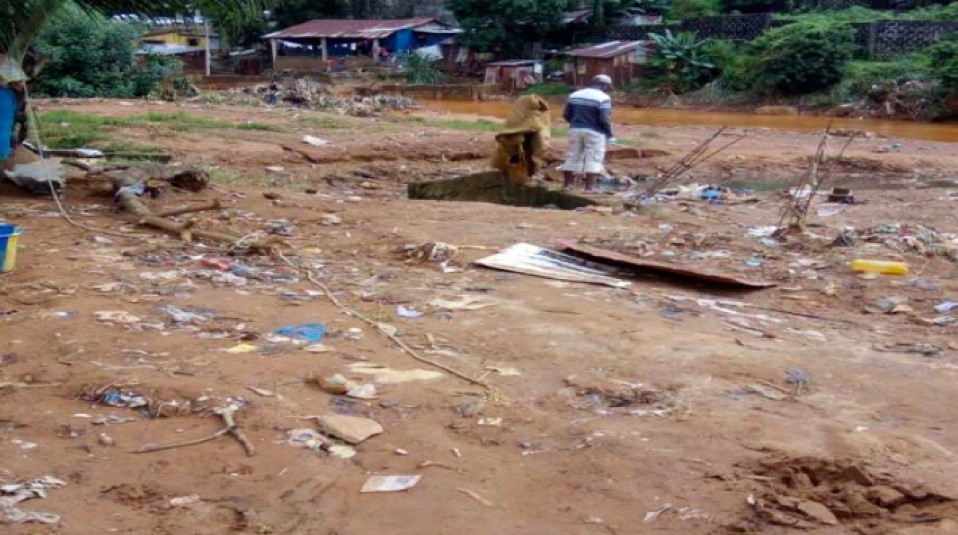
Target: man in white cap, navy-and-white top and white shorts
{"x": 589, "y": 114}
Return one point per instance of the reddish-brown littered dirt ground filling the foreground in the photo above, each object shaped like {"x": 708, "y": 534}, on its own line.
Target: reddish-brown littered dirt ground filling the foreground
{"x": 651, "y": 409}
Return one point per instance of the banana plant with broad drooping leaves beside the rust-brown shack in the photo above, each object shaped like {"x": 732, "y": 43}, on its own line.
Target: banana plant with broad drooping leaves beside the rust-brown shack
{"x": 683, "y": 57}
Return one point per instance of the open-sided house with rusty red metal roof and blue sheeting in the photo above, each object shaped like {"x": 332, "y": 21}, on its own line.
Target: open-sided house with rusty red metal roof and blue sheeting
{"x": 308, "y": 46}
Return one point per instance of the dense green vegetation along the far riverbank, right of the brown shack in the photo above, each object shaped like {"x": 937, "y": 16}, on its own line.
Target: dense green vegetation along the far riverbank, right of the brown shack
{"x": 811, "y": 60}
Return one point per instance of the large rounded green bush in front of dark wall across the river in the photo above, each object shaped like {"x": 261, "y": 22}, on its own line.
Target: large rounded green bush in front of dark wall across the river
{"x": 800, "y": 58}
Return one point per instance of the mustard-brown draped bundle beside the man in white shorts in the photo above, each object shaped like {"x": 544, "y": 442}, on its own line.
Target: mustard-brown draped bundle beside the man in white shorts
{"x": 524, "y": 139}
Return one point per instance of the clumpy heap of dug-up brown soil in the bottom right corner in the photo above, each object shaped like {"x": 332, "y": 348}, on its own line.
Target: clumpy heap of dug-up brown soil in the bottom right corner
{"x": 806, "y": 492}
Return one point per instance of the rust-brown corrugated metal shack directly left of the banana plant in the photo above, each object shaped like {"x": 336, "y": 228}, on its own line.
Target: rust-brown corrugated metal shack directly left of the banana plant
{"x": 623, "y": 61}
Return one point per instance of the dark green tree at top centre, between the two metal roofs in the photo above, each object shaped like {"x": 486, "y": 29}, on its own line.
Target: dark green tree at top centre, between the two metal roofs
{"x": 506, "y": 25}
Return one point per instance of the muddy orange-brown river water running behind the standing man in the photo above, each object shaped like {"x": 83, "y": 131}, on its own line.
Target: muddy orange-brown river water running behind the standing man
{"x": 667, "y": 117}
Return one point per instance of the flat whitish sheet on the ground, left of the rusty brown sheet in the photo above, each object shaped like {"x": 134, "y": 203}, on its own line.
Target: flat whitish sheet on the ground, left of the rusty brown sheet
{"x": 541, "y": 262}
